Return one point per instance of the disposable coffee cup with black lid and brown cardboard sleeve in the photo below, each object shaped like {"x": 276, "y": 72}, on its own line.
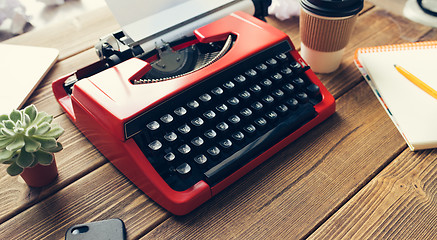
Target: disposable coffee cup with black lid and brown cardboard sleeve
{"x": 325, "y": 29}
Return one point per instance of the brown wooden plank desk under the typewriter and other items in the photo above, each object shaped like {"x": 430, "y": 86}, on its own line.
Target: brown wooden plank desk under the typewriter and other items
{"x": 351, "y": 177}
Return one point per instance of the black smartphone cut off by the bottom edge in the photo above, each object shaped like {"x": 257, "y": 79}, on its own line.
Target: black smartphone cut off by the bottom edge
{"x": 110, "y": 229}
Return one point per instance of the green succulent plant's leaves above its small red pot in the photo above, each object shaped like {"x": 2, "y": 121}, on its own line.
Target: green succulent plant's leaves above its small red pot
{"x": 28, "y": 137}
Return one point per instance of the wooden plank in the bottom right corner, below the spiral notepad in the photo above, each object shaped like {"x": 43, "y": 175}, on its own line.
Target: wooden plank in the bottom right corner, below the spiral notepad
{"x": 399, "y": 203}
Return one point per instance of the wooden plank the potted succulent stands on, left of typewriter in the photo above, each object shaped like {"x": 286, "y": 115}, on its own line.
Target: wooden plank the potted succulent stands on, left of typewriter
{"x": 78, "y": 158}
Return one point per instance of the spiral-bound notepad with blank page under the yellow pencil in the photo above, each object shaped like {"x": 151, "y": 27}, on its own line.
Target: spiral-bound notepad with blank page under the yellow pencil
{"x": 413, "y": 111}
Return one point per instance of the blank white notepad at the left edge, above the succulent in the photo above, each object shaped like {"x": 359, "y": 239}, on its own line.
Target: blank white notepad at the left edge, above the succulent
{"x": 21, "y": 70}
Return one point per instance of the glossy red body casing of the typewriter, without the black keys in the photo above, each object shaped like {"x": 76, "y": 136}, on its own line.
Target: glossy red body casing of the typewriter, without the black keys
{"x": 104, "y": 105}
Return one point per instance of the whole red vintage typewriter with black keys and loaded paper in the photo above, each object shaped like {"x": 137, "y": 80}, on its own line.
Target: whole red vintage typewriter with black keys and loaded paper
{"x": 186, "y": 105}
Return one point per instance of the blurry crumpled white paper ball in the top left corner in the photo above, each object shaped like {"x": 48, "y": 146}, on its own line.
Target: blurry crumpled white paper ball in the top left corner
{"x": 16, "y": 12}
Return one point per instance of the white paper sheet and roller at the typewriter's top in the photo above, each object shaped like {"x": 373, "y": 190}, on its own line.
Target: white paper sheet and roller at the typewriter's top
{"x": 148, "y": 22}
